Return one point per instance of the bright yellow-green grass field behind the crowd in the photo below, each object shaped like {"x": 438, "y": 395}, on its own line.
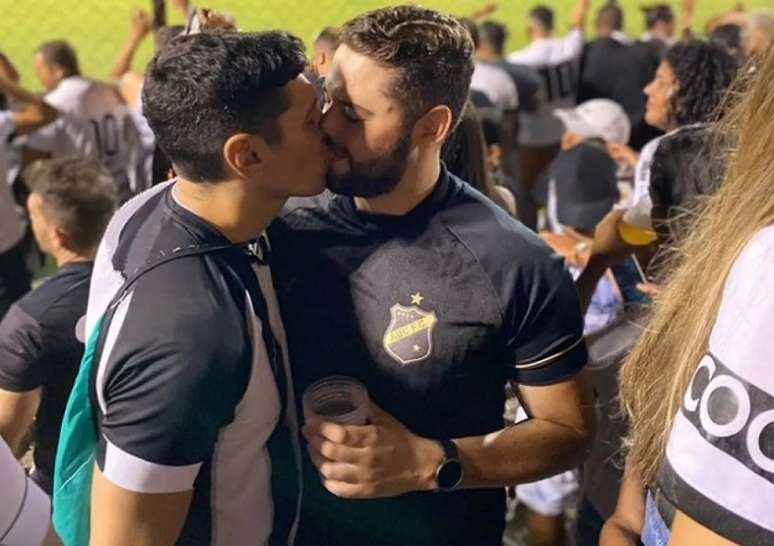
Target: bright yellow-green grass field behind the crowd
{"x": 97, "y": 28}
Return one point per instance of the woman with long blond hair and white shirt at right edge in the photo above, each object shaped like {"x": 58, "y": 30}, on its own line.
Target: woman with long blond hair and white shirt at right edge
{"x": 698, "y": 388}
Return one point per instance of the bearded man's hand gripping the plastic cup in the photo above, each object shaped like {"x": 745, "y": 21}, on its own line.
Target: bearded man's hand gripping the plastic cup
{"x": 381, "y": 459}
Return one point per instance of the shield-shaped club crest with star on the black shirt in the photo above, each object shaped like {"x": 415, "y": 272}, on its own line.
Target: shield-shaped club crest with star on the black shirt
{"x": 409, "y": 336}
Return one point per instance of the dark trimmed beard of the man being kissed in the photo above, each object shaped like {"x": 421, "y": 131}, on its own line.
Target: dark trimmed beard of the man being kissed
{"x": 374, "y": 177}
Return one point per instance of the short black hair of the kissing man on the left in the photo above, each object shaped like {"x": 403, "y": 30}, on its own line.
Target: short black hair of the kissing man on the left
{"x": 202, "y": 89}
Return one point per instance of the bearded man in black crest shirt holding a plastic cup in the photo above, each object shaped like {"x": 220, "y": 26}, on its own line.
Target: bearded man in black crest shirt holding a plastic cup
{"x": 430, "y": 295}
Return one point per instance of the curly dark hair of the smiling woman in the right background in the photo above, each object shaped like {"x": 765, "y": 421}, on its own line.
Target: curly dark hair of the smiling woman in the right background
{"x": 704, "y": 72}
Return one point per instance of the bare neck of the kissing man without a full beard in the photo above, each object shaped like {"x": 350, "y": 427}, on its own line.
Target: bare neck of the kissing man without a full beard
{"x": 237, "y": 214}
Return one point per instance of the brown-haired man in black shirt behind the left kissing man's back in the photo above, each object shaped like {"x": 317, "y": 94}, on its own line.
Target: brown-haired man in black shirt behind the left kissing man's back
{"x": 41, "y": 337}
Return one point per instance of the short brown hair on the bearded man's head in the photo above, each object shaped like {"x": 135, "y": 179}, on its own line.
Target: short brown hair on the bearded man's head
{"x": 432, "y": 52}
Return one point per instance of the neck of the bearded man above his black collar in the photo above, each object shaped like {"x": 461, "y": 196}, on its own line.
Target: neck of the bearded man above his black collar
{"x": 417, "y": 183}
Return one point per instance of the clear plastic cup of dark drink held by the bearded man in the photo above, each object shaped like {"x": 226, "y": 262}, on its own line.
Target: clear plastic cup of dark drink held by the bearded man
{"x": 338, "y": 399}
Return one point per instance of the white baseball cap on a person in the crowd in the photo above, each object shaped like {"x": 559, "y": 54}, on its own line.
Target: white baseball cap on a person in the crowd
{"x": 598, "y": 118}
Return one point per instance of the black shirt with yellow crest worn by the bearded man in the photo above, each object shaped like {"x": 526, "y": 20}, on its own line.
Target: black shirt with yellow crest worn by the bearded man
{"x": 434, "y": 311}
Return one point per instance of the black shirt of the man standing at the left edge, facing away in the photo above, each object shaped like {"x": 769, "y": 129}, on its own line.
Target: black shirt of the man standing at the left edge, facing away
{"x": 39, "y": 348}
